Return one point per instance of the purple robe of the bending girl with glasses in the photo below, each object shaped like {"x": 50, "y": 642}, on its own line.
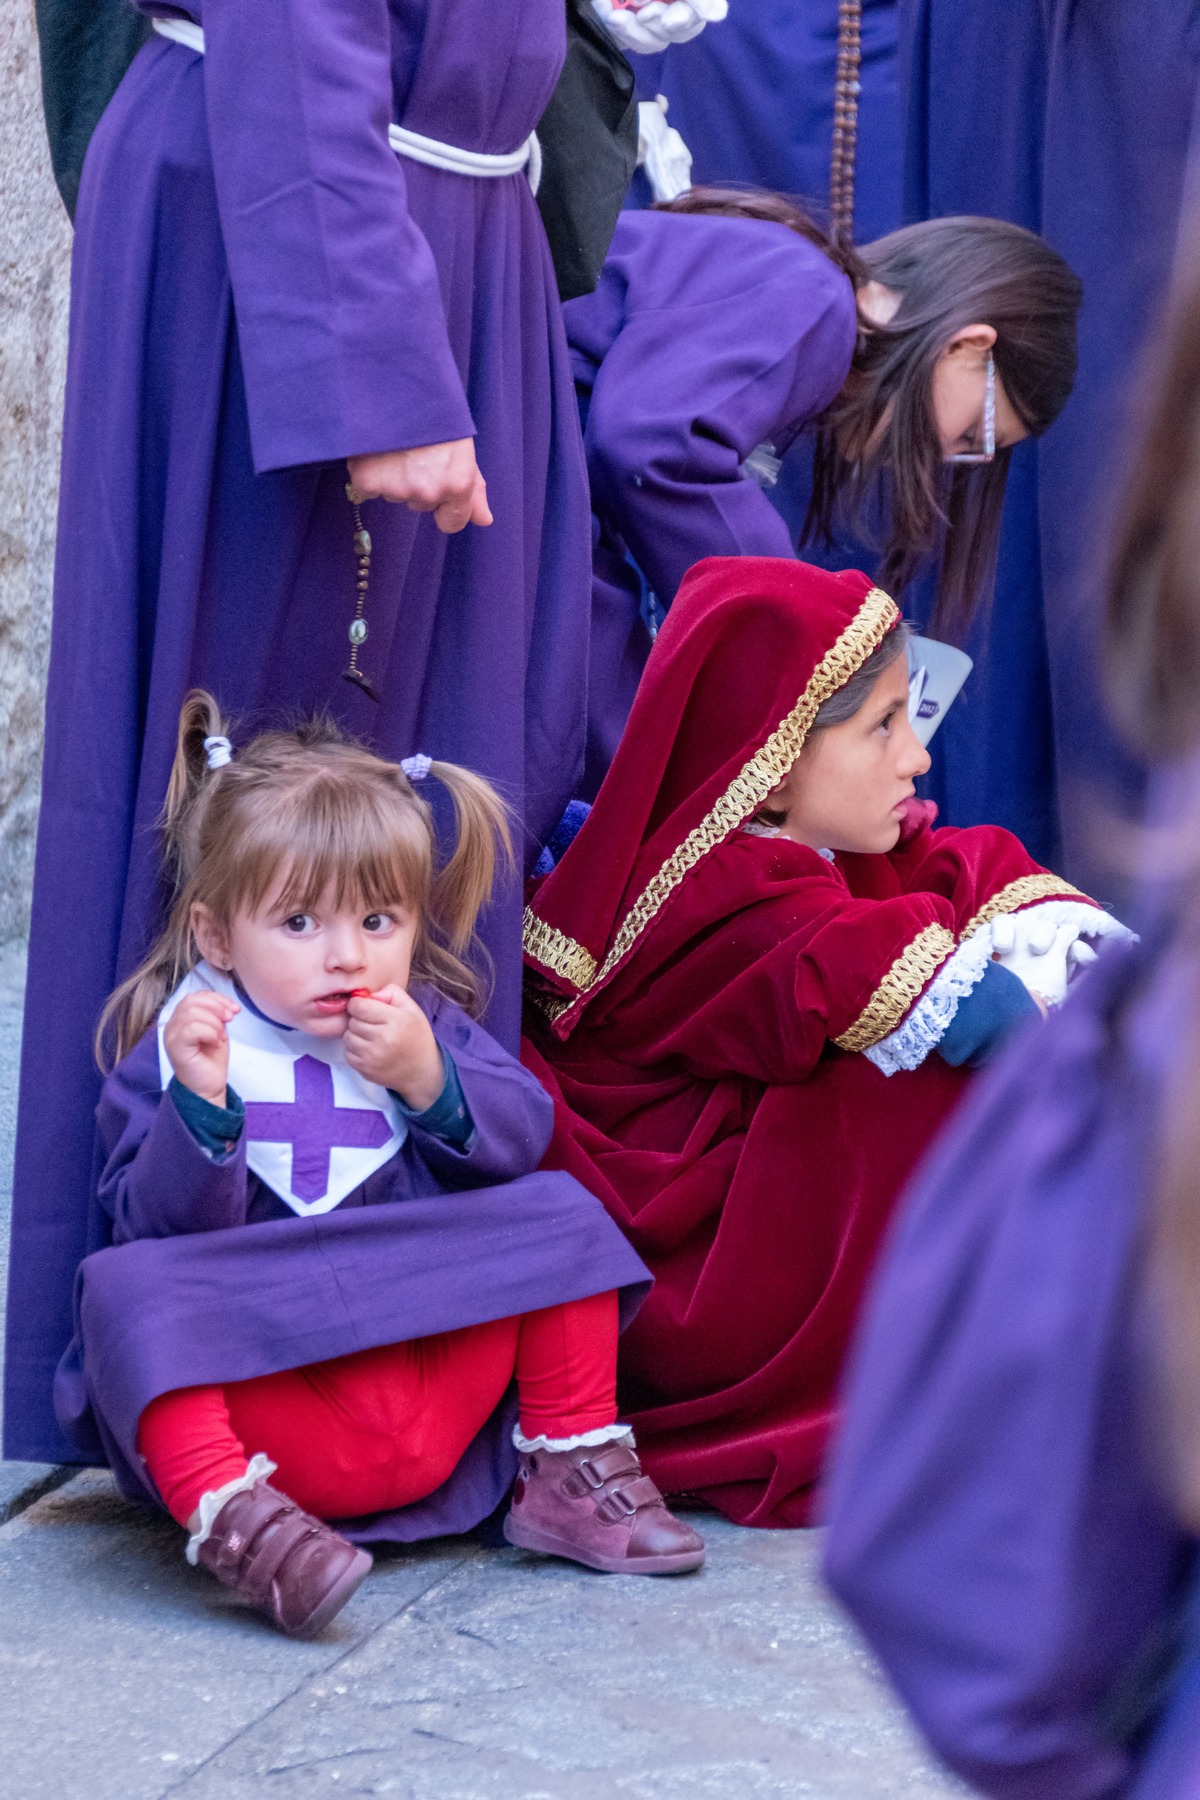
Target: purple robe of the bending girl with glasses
{"x": 704, "y": 339}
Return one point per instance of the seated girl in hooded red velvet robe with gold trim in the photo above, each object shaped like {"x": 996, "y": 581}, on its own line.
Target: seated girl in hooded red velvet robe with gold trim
{"x": 757, "y": 982}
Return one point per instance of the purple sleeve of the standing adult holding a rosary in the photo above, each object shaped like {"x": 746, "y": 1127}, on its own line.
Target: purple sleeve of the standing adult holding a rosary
{"x": 341, "y": 319}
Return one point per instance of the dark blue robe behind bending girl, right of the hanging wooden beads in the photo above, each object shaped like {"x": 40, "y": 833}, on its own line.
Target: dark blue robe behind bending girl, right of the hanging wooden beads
{"x": 1071, "y": 118}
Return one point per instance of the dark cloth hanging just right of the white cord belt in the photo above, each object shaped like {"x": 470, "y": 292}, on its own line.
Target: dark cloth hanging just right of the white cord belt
{"x": 589, "y": 152}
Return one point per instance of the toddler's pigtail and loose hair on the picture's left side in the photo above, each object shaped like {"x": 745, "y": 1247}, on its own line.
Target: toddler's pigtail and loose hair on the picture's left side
{"x": 201, "y": 751}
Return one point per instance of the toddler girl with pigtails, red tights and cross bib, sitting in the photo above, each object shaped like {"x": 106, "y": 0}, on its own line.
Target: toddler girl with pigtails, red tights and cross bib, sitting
{"x": 330, "y": 1250}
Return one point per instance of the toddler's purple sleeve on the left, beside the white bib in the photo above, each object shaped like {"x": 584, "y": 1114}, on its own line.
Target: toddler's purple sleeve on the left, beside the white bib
{"x": 157, "y": 1182}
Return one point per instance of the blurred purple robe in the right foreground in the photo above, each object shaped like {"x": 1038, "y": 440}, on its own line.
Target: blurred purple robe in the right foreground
{"x": 998, "y": 1516}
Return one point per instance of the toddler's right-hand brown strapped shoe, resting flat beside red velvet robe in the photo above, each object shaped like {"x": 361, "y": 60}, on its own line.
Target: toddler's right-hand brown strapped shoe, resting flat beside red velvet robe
{"x": 596, "y": 1507}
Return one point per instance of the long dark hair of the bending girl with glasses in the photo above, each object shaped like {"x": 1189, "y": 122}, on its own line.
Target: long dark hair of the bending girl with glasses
{"x": 879, "y": 440}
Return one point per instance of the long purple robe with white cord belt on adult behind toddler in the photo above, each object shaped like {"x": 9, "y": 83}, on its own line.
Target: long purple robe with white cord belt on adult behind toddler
{"x": 262, "y": 289}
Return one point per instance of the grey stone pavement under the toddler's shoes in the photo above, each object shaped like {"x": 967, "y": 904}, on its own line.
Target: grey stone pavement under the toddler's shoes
{"x": 456, "y": 1673}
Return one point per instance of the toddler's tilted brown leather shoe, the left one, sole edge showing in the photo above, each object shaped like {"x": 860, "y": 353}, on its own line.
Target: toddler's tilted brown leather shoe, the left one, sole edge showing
{"x": 282, "y": 1561}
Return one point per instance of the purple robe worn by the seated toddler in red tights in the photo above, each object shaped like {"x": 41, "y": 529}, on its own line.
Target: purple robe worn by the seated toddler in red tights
{"x": 211, "y": 1279}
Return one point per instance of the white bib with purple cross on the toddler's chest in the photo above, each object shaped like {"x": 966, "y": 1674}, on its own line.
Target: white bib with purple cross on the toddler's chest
{"x": 316, "y": 1129}
